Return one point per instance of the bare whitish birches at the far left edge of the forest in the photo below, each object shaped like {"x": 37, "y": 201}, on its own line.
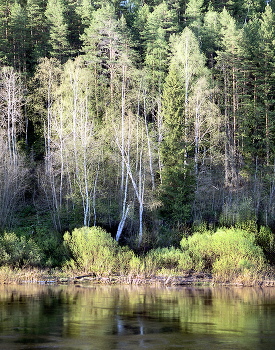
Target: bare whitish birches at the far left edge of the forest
{"x": 12, "y": 169}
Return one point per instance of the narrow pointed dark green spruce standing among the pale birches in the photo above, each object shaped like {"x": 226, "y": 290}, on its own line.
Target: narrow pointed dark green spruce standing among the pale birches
{"x": 177, "y": 189}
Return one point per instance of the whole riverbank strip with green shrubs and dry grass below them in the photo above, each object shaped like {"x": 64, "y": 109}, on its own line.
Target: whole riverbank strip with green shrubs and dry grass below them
{"x": 227, "y": 255}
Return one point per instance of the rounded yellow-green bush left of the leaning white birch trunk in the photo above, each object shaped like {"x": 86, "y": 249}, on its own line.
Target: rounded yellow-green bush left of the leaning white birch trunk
{"x": 92, "y": 249}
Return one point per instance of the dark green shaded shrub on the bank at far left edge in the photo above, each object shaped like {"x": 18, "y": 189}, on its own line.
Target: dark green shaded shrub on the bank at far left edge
{"x": 18, "y": 251}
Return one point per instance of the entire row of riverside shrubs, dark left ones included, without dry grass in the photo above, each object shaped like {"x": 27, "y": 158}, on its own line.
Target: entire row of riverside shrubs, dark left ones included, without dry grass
{"x": 226, "y": 253}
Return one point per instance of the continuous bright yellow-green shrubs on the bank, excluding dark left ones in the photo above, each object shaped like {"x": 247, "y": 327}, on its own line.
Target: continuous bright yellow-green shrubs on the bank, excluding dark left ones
{"x": 226, "y": 253}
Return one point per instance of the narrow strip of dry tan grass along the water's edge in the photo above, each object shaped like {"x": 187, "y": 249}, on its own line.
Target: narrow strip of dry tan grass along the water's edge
{"x": 55, "y": 276}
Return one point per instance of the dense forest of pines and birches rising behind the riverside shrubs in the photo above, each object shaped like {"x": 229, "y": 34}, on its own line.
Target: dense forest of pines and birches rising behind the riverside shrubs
{"x": 142, "y": 117}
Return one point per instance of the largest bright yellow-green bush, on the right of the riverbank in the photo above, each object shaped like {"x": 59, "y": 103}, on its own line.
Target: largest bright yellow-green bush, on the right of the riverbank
{"x": 226, "y": 253}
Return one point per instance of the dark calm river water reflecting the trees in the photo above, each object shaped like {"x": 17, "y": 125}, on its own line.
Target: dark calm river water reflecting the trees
{"x": 98, "y": 317}
